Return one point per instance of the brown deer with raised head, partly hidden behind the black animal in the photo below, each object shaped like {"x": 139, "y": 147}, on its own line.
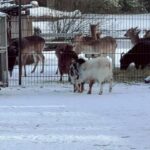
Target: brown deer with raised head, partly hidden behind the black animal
{"x": 133, "y": 34}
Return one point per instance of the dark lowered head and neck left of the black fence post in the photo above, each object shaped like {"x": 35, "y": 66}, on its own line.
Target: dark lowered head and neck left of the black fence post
{"x": 12, "y": 54}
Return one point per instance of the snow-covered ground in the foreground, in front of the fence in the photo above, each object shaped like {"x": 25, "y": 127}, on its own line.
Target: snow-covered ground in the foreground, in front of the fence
{"x": 53, "y": 117}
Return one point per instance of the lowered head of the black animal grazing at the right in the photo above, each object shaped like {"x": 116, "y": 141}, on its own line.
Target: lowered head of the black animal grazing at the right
{"x": 125, "y": 61}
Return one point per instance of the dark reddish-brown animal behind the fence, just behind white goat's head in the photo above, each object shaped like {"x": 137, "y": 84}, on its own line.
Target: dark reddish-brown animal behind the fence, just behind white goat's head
{"x": 65, "y": 54}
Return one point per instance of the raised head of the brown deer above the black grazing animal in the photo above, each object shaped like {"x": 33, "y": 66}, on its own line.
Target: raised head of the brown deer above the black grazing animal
{"x": 132, "y": 32}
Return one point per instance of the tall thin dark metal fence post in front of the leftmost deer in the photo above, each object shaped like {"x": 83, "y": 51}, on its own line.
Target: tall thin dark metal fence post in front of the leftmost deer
{"x": 19, "y": 46}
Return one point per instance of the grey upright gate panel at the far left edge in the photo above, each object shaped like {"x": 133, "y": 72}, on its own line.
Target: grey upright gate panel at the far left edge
{"x": 3, "y": 51}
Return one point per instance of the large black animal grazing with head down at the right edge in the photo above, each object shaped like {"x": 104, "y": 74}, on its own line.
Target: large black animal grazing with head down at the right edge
{"x": 139, "y": 55}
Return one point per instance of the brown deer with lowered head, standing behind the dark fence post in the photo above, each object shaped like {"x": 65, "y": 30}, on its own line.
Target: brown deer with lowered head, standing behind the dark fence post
{"x": 30, "y": 45}
